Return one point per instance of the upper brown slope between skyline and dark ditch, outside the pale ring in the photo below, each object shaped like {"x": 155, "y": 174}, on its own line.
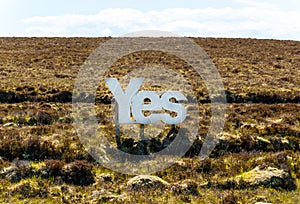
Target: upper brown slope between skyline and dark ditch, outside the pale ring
{"x": 44, "y": 69}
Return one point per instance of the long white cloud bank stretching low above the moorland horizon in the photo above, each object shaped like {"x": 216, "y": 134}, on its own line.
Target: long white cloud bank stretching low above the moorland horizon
{"x": 253, "y": 19}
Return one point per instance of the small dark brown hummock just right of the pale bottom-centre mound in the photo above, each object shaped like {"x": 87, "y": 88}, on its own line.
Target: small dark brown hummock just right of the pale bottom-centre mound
{"x": 187, "y": 187}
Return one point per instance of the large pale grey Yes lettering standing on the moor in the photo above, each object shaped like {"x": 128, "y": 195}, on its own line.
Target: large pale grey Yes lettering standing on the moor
{"x": 132, "y": 102}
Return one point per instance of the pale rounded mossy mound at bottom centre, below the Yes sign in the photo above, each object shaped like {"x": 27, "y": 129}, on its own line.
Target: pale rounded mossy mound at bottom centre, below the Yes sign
{"x": 144, "y": 182}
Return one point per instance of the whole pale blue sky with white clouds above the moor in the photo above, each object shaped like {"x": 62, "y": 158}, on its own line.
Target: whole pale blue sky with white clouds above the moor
{"x": 271, "y": 19}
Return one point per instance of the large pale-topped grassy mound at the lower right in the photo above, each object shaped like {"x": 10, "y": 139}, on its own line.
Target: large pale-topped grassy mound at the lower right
{"x": 262, "y": 176}
